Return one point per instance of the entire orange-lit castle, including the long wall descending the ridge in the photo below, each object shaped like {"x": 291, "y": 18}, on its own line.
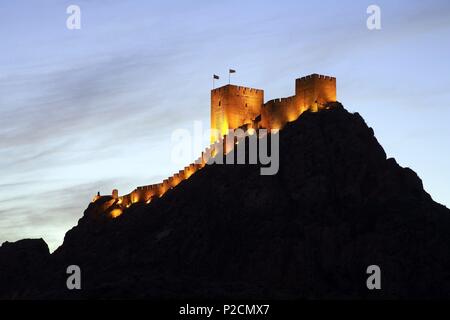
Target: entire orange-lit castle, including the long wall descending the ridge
{"x": 234, "y": 107}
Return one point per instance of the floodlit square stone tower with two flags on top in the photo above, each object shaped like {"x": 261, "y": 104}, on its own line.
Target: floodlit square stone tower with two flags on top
{"x": 232, "y": 107}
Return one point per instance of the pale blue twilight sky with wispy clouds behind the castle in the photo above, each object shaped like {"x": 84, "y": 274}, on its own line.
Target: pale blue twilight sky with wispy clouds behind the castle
{"x": 90, "y": 110}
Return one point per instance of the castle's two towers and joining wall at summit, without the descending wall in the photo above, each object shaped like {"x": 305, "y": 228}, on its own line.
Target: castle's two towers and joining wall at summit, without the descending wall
{"x": 235, "y": 107}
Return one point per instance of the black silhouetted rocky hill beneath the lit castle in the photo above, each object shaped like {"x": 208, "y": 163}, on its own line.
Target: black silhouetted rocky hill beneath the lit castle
{"x": 336, "y": 206}
